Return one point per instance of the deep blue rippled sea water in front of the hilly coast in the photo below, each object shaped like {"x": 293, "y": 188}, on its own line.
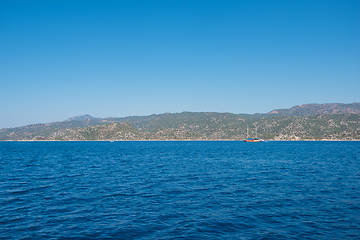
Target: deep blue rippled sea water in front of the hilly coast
{"x": 179, "y": 190}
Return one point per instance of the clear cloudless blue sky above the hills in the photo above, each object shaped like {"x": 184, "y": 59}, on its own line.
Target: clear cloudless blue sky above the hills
{"x": 62, "y": 58}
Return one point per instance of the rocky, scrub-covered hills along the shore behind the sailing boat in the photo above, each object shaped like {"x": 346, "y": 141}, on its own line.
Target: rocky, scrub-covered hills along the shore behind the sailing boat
{"x": 333, "y": 121}
